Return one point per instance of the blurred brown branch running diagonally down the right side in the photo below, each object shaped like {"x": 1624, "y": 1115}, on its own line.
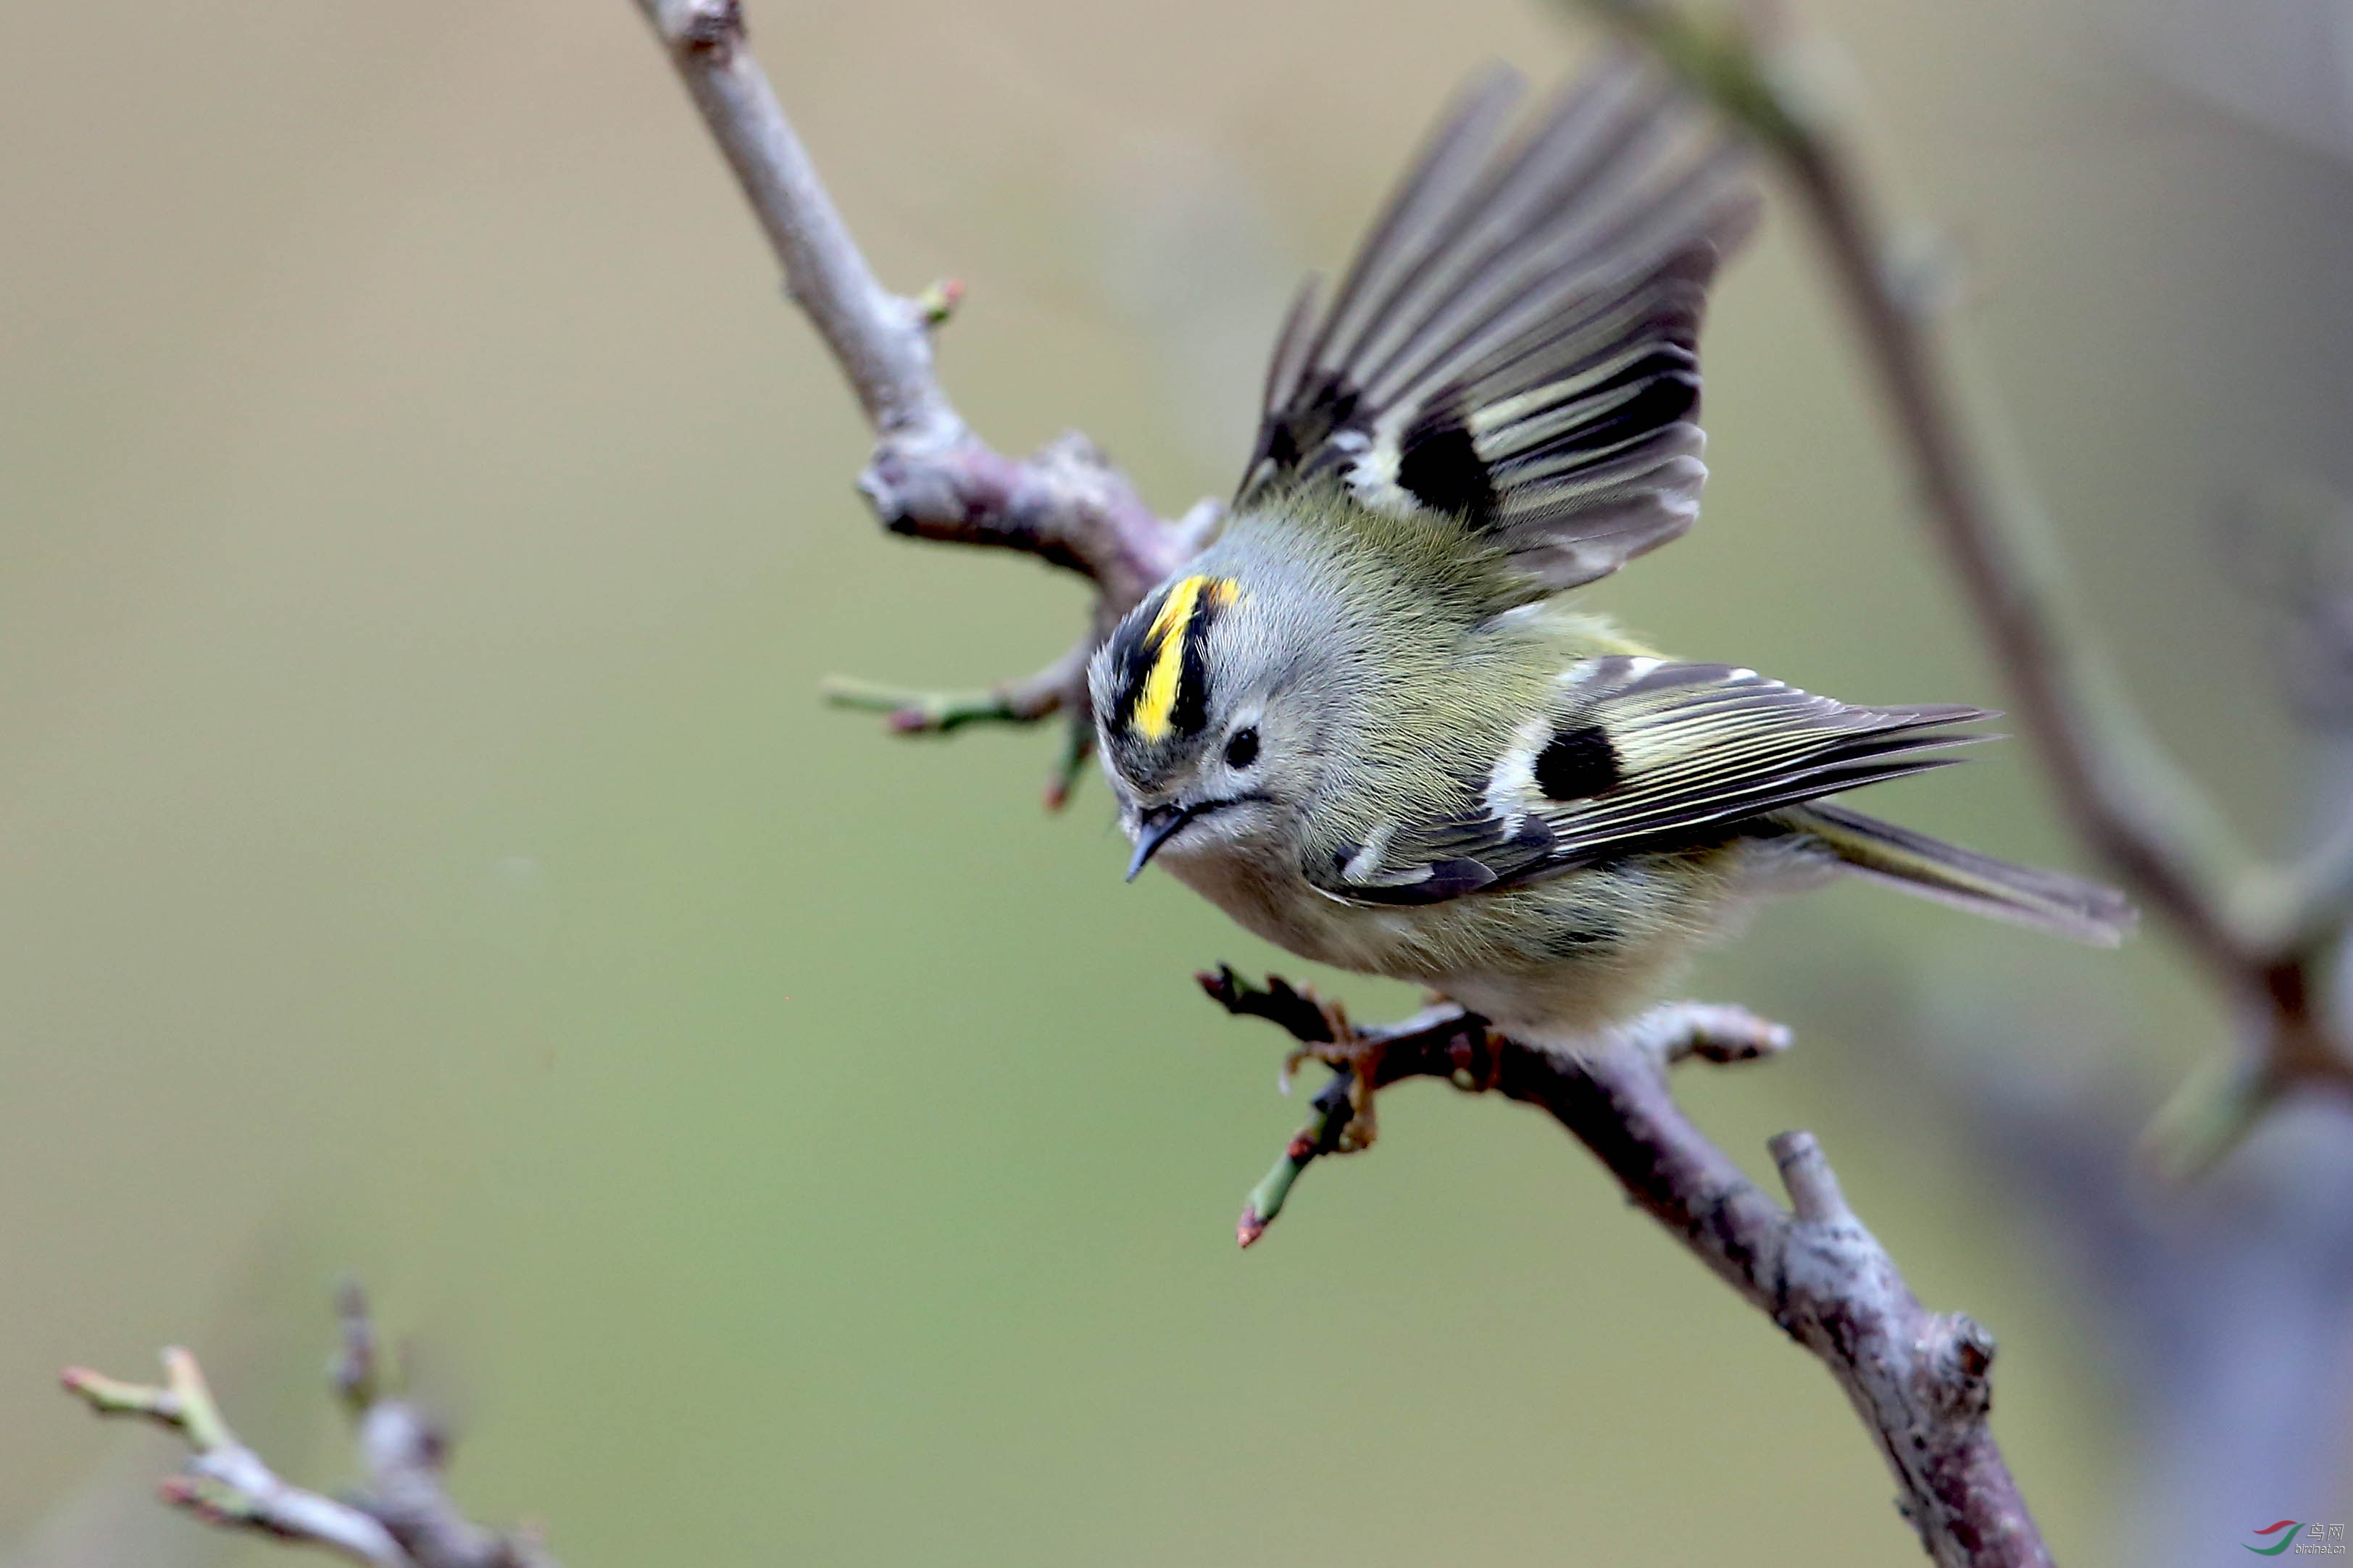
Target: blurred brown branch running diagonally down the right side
{"x": 2265, "y": 934}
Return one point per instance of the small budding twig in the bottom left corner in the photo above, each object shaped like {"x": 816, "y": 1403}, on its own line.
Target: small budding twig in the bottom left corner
{"x": 404, "y": 1520}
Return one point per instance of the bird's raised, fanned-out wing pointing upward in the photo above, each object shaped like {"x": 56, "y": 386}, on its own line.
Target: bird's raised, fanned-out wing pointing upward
{"x": 1517, "y": 340}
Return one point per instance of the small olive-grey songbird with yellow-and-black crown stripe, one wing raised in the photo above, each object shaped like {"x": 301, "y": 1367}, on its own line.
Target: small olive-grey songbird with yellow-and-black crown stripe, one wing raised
{"x": 1366, "y": 722}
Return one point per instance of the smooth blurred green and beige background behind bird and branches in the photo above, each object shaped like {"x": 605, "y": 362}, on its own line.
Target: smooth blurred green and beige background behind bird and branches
{"x": 422, "y": 849}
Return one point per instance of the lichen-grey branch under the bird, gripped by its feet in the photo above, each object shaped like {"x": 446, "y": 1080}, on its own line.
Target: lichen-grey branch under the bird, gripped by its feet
{"x": 1919, "y": 1381}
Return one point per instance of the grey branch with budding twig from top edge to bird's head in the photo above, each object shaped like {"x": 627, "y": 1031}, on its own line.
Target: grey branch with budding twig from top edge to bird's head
{"x": 931, "y": 477}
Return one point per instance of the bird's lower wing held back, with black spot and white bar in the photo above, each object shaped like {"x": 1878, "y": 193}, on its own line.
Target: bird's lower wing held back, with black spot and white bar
{"x": 1625, "y": 757}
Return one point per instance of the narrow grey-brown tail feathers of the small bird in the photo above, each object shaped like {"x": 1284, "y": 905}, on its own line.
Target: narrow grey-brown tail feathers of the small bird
{"x": 1917, "y": 863}
